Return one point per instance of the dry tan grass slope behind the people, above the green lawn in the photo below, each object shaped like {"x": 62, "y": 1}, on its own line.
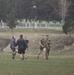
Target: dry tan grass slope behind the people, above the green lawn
{"x": 59, "y": 46}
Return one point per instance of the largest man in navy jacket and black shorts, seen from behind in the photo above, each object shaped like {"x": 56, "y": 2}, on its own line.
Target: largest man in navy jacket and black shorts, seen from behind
{"x": 21, "y": 46}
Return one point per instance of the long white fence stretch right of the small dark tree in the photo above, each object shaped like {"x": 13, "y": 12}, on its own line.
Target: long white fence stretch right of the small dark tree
{"x": 34, "y": 26}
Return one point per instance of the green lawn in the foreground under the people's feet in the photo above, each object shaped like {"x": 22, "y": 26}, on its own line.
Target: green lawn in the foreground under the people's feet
{"x": 31, "y": 66}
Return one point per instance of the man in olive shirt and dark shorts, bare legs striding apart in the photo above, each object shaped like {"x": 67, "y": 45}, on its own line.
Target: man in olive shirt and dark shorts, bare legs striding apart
{"x": 42, "y": 44}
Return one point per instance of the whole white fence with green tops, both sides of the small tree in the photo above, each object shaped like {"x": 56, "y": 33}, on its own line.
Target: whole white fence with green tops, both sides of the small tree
{"x": 33, "y": 24}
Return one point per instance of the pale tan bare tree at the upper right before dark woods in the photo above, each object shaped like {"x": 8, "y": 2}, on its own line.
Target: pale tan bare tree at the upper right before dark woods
{"x": 63, "y": 8}
